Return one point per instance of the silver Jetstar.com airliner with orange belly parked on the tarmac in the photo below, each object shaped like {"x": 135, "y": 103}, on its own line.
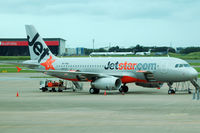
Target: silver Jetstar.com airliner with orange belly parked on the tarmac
{"x": 107, "y": 73}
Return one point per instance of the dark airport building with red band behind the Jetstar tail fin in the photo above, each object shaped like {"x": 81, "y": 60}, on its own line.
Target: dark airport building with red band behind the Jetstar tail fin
{"x": 19, "y": 46}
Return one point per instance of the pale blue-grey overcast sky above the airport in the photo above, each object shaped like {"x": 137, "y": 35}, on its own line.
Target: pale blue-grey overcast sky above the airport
{"x": 116, "y": 22}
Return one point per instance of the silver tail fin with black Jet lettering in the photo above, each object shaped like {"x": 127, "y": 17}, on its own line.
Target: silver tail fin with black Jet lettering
{"x": 37, "y": 47}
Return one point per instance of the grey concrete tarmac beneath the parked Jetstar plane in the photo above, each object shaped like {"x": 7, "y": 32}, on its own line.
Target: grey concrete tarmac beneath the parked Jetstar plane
{"x": 141, "y": 110}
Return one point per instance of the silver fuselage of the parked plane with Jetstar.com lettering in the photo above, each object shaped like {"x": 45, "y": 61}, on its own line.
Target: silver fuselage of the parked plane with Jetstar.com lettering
{"x": 164, "y": 69}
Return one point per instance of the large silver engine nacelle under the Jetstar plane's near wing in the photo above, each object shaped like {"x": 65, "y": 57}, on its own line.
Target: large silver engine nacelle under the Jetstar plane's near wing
{"x": 107, "y": 83}
